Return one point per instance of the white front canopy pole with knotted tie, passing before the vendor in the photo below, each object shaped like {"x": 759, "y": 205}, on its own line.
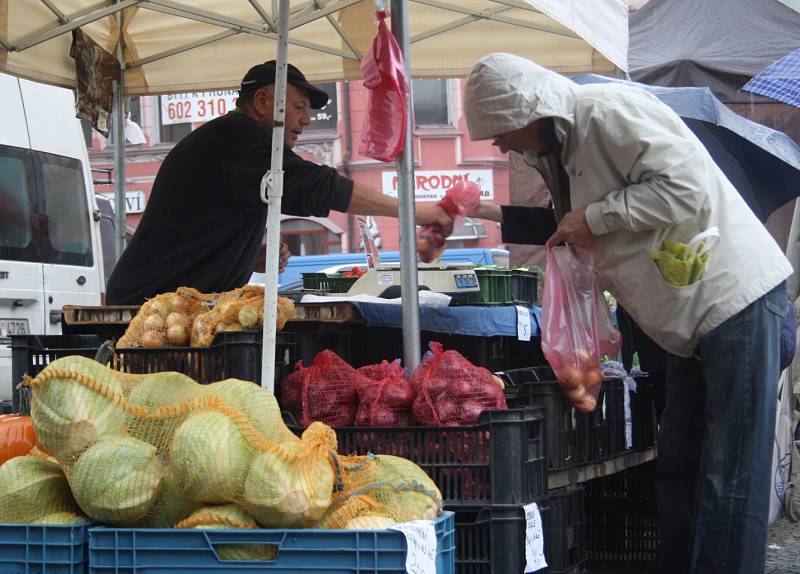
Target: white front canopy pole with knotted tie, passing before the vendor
{"x": 271, "y": 193}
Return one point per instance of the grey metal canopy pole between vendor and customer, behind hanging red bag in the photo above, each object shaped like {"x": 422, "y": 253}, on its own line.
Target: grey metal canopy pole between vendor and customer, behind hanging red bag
{"x": 406, "y": 197}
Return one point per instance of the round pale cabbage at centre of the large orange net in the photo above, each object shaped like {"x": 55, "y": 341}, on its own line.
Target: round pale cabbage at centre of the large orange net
{"x": 209, "y": 457}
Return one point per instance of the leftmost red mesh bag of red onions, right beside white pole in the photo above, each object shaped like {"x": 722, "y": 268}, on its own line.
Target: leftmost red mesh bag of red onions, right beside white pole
{"x": 325, "y": 391}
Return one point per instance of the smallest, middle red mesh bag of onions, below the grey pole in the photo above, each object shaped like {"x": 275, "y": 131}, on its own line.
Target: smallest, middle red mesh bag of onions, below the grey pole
{"x": 386, "y": 399}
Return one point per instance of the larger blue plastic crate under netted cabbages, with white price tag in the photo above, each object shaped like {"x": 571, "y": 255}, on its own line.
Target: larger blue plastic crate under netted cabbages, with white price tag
{"x": 155, "y": 551}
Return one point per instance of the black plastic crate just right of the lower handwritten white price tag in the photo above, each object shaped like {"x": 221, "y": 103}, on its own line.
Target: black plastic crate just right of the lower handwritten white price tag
{"x": 564, "y": 529}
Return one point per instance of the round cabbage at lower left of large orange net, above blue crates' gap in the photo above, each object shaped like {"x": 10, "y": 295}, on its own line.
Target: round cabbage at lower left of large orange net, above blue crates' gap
{"x": 117, "y": 480}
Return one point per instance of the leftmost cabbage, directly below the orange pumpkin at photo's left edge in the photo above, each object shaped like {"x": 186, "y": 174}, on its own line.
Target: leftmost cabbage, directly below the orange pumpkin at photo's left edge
{"x": 31, "y": 488}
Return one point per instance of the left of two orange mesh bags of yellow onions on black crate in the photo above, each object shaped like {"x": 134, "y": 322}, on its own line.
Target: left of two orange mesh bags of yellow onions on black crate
{"x": 165, "y": 320}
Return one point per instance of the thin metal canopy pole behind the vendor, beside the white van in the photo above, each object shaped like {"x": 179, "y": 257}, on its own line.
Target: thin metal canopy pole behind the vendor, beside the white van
{"x": 118, "y": 125}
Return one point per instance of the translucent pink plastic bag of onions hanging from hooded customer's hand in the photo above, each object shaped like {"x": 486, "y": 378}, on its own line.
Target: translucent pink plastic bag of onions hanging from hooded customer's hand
{"x": 577, "y": 328}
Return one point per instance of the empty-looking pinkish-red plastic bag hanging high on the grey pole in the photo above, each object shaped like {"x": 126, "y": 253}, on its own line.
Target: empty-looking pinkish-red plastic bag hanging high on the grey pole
{"x": 384, "y": 75}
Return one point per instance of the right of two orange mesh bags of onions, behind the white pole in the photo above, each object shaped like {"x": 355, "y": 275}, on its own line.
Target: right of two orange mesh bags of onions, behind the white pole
{"x": 237, "y": 310}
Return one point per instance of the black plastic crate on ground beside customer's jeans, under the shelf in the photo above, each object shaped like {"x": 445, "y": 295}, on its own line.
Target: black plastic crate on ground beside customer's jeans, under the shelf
{"x": 622, "y": 527}
